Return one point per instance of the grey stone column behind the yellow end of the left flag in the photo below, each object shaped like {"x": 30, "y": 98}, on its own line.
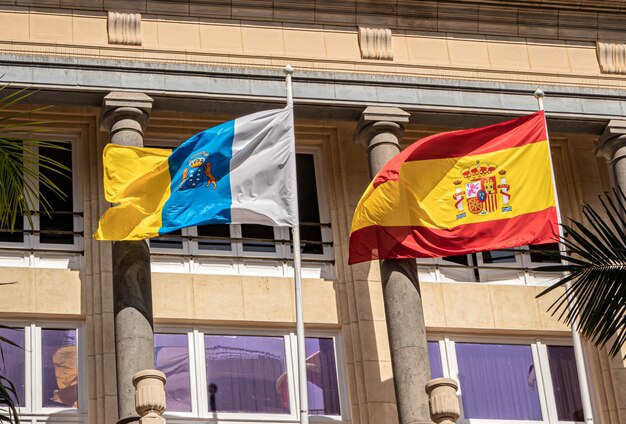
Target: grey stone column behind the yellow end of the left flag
{"x": 125, "y": 116}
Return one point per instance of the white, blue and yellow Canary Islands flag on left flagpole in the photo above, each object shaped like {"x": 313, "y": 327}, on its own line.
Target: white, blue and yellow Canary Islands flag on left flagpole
{"x": 241, "y": 171}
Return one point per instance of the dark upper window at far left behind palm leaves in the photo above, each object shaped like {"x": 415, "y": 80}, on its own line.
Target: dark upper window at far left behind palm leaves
{"x": 53, "y": 240}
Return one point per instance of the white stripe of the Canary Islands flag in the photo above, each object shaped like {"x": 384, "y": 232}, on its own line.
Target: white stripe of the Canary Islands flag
{"x": 262, "y": 172}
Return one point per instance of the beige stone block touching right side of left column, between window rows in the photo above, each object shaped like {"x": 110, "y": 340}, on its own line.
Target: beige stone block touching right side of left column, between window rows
{"x": 172, "y": 296}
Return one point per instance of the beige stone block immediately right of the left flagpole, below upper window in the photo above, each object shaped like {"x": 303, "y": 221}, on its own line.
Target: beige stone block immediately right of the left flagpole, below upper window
{"x": 319, "y": 301}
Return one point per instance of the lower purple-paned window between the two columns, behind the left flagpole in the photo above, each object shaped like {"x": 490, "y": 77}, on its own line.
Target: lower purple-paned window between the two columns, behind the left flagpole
{"x": 246, "y": 376}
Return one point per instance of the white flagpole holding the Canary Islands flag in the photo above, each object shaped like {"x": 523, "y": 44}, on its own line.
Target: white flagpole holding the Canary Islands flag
{"x": 303, "y": 396}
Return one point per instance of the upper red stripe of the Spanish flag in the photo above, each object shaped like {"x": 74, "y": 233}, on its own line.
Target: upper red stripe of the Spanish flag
{"x": 455, "y": 144}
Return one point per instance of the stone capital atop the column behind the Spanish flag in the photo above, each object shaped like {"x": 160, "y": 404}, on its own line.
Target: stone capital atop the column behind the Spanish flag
{"x": 378, "y": 119}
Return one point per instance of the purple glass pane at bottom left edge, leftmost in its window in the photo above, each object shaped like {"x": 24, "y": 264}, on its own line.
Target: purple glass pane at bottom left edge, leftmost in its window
{"x": 12, "y": 362}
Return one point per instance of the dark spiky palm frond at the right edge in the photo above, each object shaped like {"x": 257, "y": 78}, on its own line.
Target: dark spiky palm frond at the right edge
{"x": 595, "y": 267}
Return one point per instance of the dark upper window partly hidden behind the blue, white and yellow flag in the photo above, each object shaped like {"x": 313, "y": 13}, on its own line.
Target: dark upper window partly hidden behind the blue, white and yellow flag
{"x": 255, "y": 249}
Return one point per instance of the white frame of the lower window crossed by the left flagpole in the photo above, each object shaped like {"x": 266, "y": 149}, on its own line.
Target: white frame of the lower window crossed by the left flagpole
{"x": 198, "y": 383}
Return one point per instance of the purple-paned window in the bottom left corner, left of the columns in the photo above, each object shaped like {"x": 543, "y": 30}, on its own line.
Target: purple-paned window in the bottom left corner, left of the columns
{"x": 45, "y": 368}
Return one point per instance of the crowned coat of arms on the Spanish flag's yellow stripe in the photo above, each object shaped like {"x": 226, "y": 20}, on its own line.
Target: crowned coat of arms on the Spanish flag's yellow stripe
{"x": 480, "y": 192}
